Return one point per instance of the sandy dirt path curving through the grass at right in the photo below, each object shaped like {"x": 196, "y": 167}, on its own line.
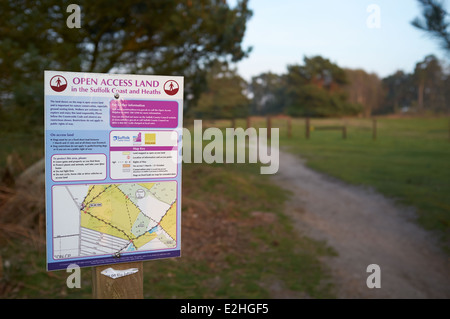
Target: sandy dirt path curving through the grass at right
{"x": 364, "y": 228}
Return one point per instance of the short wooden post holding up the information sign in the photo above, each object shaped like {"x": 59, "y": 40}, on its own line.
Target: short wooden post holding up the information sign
{"x": 127, "y": 287}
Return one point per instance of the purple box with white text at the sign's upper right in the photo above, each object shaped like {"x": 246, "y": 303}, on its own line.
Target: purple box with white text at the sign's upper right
{"x": 144, "y": 114}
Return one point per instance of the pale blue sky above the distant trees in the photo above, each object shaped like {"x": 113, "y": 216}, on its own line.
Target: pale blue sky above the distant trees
{"x": 349, "y": 33}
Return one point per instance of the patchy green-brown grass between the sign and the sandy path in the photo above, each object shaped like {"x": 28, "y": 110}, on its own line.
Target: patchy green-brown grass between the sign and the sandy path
{"x": 259, "y": 253}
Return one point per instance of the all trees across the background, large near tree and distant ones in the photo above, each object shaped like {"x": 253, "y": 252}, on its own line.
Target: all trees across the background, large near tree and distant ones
{"x": 199, "y": 40}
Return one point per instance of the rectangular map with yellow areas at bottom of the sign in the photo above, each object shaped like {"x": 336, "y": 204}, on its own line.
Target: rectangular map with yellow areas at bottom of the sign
{"x": 113, "y": 219}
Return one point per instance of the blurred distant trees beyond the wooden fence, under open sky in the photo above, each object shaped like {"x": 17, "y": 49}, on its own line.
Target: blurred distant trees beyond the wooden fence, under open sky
{"x": 320, "y": 88}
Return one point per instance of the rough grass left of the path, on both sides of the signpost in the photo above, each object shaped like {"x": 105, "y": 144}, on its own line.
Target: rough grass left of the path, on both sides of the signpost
{"x": 228, "y": 251}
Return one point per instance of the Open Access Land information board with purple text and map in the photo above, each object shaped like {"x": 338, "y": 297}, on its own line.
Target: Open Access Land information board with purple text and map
{"x": 113, "y": 167}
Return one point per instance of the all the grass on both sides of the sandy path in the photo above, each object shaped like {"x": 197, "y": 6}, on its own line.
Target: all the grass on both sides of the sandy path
{"x": 237, "y": 241}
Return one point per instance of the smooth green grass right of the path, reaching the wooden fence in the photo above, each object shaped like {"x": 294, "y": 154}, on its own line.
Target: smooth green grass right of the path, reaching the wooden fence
{"x": 409, "y": 161}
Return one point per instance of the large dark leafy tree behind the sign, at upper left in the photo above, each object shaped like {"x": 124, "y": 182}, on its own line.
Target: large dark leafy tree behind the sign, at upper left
{"x": 170, "y": 37}
